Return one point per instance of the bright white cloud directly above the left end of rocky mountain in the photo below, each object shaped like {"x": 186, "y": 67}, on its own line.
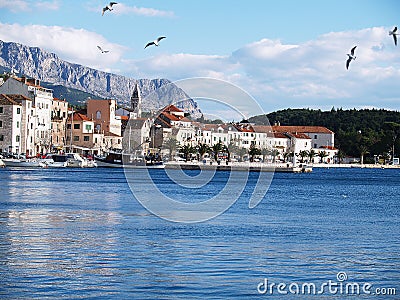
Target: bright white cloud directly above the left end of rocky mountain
{"x": 70, "y": 44}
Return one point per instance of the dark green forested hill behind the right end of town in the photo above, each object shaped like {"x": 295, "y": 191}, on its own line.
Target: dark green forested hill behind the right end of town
{"x": 371, "y": 131}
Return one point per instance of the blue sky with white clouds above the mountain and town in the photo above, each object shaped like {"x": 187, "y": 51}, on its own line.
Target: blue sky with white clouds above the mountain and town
{"x": 283, "y": 54}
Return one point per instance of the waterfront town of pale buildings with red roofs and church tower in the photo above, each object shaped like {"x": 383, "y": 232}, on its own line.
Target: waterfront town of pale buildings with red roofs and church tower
{"x": 34, "y": 123}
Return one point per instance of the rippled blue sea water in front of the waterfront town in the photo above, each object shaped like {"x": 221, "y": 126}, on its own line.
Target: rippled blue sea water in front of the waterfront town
{"x": 80, "y": 233}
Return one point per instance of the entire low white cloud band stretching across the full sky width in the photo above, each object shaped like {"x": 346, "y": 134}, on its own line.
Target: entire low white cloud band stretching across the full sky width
{"x": 278, "y": 75}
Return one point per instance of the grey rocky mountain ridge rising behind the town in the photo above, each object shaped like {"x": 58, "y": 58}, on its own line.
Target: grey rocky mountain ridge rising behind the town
{"x": 48, "y": 67}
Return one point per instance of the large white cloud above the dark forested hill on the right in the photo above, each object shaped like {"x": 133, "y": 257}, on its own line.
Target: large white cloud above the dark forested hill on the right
{"x": 311, "y": 74}
